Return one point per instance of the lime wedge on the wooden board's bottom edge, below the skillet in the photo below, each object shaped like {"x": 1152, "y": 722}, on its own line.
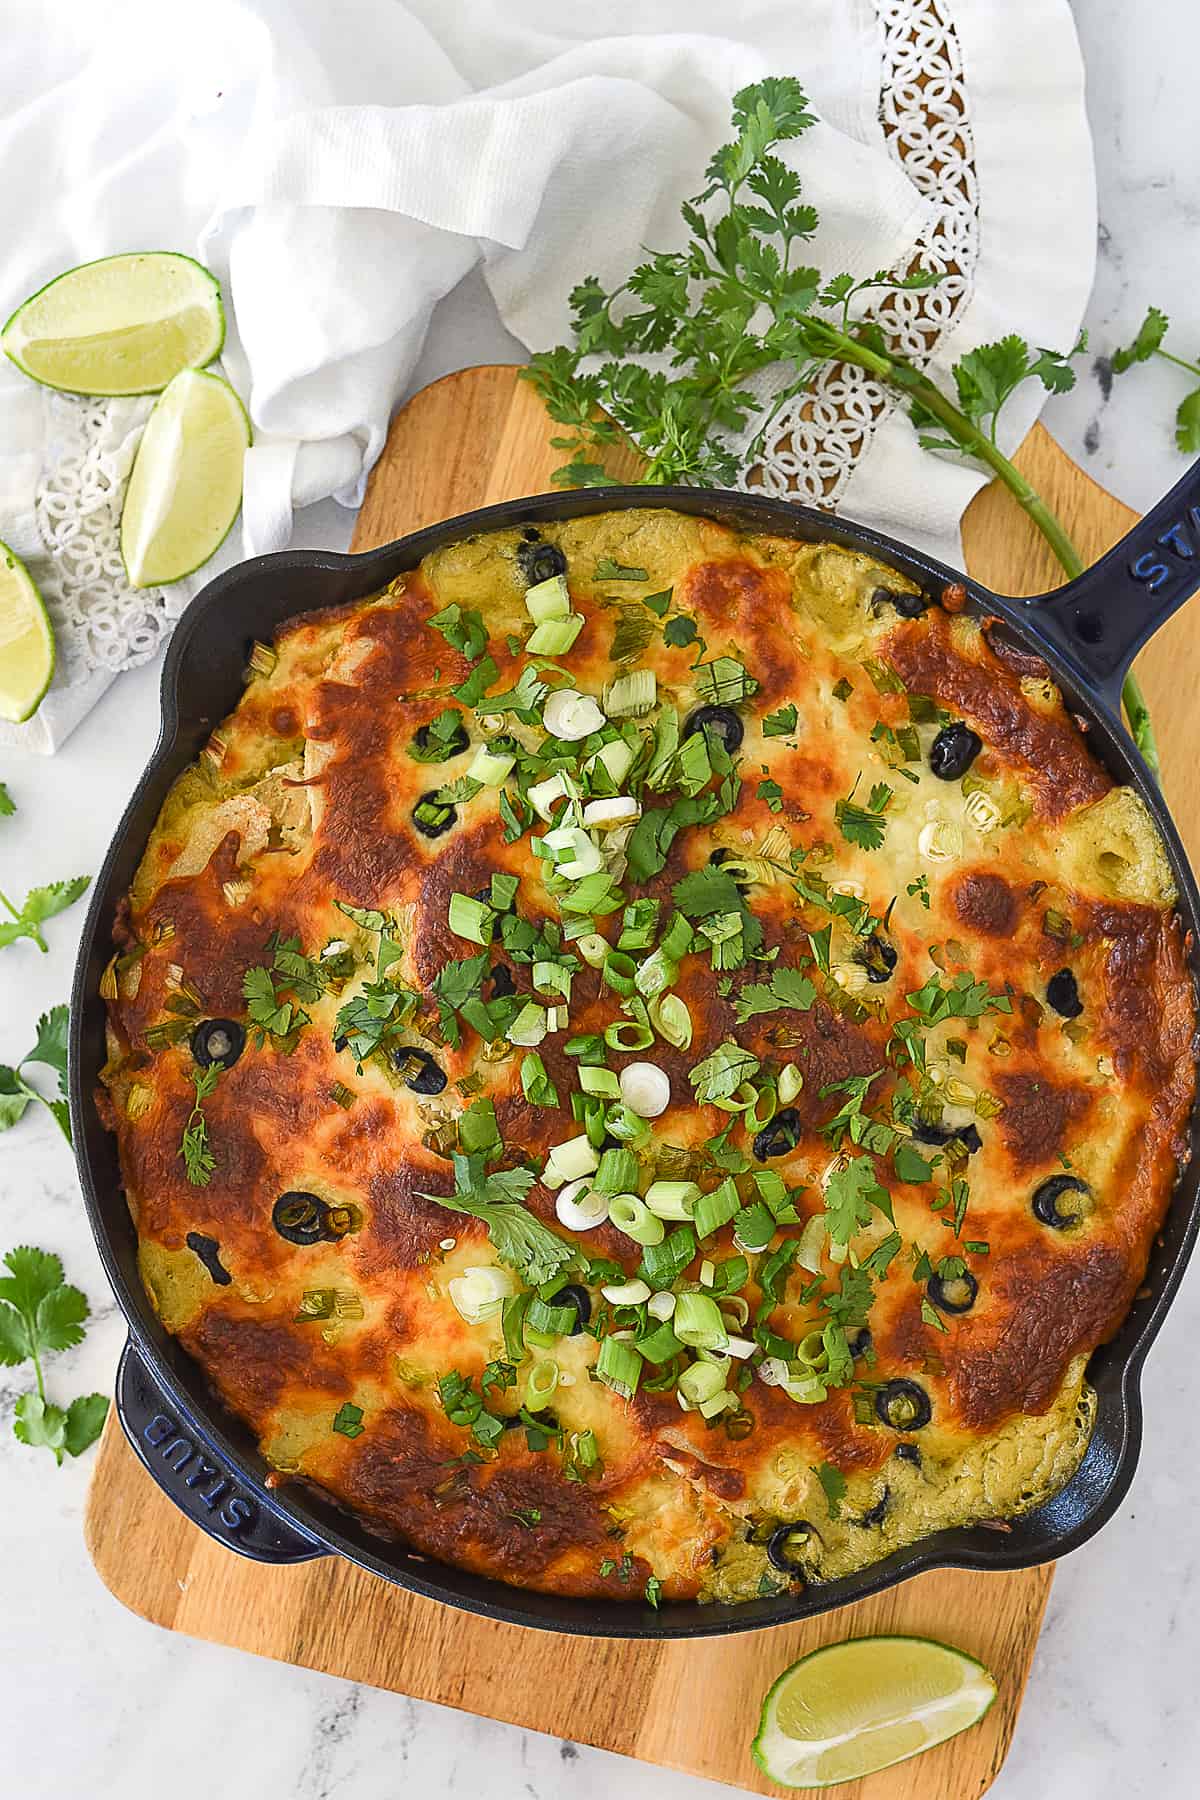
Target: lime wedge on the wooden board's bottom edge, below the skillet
{"x": 859, "y": 1707}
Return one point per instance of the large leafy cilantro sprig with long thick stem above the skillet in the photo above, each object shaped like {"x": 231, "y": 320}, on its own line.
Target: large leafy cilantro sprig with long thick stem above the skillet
{"x": 739, "y": 300}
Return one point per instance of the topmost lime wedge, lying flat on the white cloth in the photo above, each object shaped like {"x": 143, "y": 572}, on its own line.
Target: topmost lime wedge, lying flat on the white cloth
{"x": 120, "y": 327}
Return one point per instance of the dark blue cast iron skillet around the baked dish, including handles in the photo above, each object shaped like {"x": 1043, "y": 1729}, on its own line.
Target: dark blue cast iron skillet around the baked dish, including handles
{"x": 204, "y": 1459}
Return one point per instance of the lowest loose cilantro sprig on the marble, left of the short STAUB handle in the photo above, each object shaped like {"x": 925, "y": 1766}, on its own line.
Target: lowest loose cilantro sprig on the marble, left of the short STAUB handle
{"x": 40, "y": 1313}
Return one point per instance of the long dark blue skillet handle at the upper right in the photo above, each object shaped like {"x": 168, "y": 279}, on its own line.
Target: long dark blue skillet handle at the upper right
{"x": 1104, "y": 618}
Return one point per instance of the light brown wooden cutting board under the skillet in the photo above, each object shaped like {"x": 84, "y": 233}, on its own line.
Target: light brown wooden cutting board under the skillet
{"x": 470, "y": 440}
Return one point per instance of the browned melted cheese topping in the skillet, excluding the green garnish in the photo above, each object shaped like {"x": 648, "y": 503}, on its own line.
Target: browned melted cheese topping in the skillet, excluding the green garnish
{"x": 307, "y": 798}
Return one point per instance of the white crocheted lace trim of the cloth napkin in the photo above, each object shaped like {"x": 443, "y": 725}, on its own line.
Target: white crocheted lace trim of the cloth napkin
{"x": 810, "y": 451}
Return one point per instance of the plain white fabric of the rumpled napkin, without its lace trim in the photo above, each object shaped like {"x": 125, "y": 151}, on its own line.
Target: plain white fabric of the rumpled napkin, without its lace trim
{"x": 341, "y": 166}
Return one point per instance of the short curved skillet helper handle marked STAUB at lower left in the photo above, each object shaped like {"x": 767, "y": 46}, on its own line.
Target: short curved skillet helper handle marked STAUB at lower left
{"x": 199, "y": 1479}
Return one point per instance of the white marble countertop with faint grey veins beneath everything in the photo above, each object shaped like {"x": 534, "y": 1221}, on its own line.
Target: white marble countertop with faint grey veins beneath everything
{"x": 94, "y": 1698}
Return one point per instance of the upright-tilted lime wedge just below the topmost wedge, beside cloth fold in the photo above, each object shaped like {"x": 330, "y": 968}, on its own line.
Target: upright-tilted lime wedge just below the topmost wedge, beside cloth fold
{"x": 186, "y": 483}
